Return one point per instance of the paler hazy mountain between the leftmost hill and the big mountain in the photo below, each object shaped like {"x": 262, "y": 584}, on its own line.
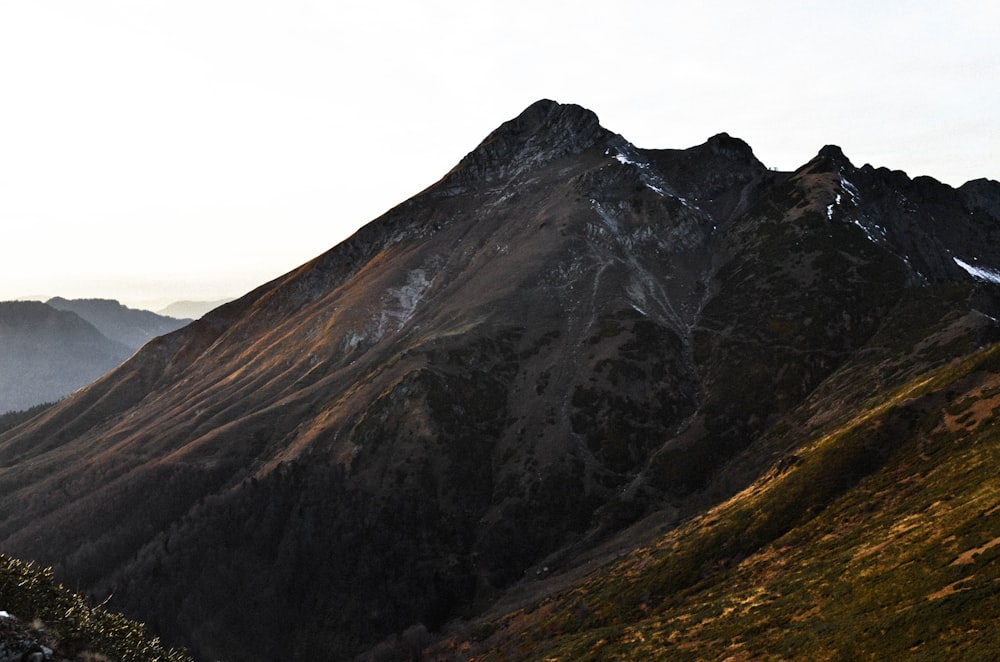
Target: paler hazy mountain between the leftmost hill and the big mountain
{"x": 128, "y": 326}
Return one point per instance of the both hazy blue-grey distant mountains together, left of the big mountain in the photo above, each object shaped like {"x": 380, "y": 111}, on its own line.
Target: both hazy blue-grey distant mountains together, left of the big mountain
{"x": 48, "y": 350}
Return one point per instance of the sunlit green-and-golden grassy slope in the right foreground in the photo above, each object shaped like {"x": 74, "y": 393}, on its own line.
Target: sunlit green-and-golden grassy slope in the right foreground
{"x": 878, "y": 538}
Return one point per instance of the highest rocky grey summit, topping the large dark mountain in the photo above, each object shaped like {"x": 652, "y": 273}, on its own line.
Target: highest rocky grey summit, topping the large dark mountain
{"x": 545, "y": 130}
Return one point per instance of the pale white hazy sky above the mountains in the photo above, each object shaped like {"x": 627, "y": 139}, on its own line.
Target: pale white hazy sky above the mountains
{"x": 155, "y": 150}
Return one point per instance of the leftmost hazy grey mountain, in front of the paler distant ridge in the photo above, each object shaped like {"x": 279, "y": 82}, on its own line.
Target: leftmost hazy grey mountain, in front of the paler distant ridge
{"x": 46, "y": 354}
